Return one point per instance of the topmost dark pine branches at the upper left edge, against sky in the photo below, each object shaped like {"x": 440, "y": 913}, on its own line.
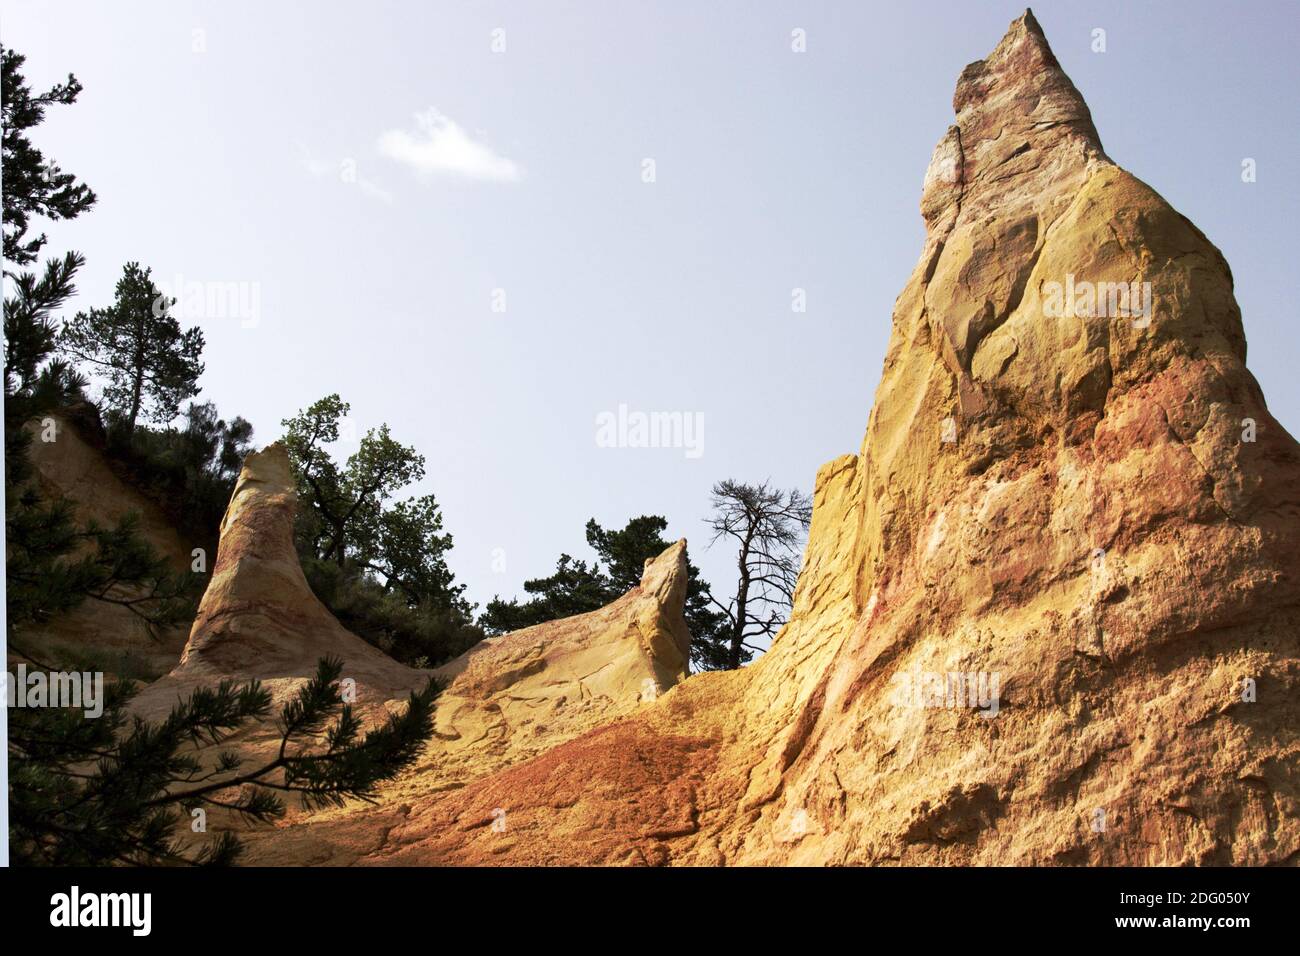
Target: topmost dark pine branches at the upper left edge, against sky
{"x": 33, "y": 185}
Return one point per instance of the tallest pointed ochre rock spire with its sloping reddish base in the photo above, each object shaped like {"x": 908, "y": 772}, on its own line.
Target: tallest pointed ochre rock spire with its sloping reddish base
{"x": 1048, "y": 615}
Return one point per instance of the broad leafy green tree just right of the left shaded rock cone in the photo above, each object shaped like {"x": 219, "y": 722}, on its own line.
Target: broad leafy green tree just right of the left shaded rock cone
{"x": 349, "y": 516}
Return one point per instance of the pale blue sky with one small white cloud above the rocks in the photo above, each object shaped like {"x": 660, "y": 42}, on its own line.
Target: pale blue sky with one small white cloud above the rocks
{"x": 375, "y": 174}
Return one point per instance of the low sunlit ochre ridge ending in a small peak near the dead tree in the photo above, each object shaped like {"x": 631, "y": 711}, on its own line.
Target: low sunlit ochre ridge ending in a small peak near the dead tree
{"x": 508, "y": 700}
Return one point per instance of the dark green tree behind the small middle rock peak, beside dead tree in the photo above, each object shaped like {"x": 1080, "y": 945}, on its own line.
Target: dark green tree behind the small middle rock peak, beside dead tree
{"x": 578, "y": 589}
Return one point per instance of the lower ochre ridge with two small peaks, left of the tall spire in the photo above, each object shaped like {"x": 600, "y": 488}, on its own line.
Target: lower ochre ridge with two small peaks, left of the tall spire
{"x": 504, "y": 702}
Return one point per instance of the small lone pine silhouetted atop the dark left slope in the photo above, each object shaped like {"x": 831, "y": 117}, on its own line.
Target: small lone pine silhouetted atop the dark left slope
{"x": 148, "y": 362}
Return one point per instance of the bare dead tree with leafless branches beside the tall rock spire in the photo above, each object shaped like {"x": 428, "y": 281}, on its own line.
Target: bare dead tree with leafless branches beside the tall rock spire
{"x": 768, "y": 526}
